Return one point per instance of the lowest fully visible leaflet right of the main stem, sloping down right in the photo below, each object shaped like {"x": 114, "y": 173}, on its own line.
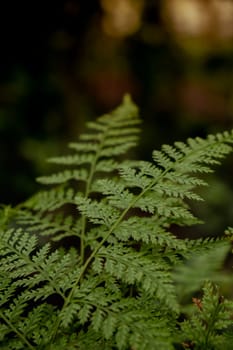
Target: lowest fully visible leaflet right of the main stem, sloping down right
{"x": 152, "y": 276}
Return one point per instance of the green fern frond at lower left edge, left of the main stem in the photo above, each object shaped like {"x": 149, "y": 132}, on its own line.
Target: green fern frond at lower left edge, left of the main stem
{"x": 34, "y": 274}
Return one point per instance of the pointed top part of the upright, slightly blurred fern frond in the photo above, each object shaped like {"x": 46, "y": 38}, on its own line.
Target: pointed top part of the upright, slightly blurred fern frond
{"x": 111, "y": 140}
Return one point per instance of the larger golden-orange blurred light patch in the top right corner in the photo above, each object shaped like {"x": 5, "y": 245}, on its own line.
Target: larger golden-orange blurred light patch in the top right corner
{"x": 212, "y": 19}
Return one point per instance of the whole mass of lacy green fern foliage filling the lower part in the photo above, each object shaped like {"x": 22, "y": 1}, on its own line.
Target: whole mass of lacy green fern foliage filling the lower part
{"x": 92, "y": 262}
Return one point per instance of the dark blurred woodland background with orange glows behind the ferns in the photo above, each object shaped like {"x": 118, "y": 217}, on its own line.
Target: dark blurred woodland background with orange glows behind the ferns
{"x": 63, "y": 63}
